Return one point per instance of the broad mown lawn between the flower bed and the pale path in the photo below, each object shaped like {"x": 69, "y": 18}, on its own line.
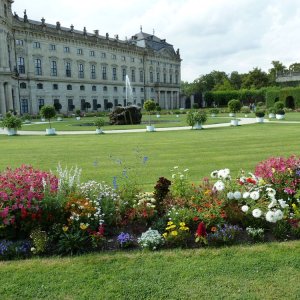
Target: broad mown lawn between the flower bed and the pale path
{"x": 201, "y": 151}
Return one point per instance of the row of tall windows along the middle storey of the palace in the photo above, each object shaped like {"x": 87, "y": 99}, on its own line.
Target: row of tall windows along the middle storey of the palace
{"x": 81, "y": 72}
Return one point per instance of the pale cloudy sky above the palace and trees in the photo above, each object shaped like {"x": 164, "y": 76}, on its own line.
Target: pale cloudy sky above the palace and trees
{"x": 222, "y": 35}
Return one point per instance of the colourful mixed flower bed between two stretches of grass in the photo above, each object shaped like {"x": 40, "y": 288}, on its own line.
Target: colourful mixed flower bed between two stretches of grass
{"x": 41, "y": 213}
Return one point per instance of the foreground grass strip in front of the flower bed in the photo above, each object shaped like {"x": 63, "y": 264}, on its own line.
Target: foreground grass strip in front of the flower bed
{"x": 263, "y": 271}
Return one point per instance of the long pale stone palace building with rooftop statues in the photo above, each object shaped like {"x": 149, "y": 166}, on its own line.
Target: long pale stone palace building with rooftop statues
{"x": 43, "y": 64}
